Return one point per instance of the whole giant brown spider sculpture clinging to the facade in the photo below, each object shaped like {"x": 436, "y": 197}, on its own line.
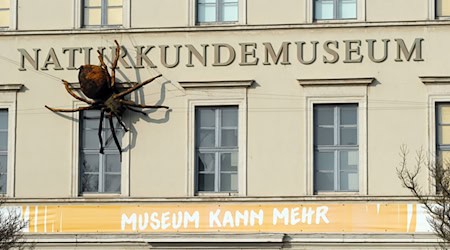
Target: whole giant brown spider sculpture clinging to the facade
{"x": 97, "y": 84}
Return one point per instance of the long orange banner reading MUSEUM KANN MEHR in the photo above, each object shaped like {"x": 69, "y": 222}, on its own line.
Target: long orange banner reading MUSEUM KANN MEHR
{"x": 222, "y": 217}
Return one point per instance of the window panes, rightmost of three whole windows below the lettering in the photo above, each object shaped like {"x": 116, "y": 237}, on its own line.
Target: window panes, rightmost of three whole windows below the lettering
{"x": 336, "y": 148}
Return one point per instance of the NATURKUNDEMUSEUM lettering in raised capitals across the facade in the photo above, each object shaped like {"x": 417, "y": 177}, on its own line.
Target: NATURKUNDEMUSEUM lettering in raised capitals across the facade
{"x": 225, "y": 54}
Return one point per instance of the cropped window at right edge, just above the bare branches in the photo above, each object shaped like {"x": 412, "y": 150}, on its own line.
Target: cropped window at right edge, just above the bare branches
{"x": 443, "y": 132}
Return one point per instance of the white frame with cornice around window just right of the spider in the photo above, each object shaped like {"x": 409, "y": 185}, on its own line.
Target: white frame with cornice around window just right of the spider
{"x": 217, "y": 93}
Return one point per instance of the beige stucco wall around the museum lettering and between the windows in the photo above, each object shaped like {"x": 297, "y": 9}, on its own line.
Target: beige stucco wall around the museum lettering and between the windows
{"x": 276, "y": 131}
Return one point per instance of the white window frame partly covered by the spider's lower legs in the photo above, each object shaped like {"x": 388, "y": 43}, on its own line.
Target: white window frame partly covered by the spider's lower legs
{"x": 125, "y": 165}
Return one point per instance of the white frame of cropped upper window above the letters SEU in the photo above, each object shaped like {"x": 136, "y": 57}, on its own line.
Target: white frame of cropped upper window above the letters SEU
{"x": 360, "y": 13}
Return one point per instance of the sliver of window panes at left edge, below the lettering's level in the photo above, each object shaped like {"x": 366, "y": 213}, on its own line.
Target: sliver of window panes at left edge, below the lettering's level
{"x": 3, "y": 150}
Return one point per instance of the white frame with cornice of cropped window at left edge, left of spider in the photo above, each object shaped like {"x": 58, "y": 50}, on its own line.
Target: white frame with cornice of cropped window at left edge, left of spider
{"x": 8, "y": 97}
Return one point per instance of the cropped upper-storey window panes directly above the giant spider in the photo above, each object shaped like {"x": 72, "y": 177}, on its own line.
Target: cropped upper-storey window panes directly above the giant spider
{"x": 103, "y": 13}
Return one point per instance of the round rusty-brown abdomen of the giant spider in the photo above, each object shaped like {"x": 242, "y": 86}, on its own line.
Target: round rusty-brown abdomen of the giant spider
{"x": 95, "y": 82}
